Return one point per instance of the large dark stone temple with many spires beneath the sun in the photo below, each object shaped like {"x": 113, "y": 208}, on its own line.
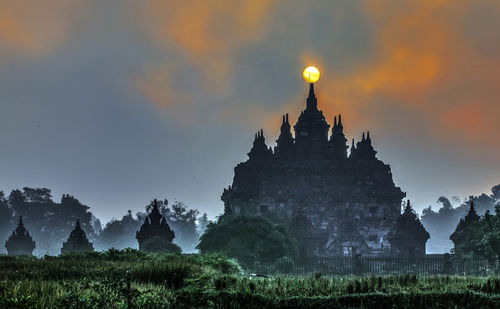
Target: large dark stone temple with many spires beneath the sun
{"x": 334, "y": 202}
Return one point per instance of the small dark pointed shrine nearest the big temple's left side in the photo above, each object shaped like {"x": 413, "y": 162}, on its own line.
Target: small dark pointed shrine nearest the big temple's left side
{"x": 155, "y": 233}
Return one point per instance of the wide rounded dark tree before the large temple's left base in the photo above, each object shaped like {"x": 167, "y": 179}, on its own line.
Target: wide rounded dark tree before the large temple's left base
{"x": 249, "y": 239}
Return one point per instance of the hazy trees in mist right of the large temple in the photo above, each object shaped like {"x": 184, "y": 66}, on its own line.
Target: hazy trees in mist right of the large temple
{"x": 442, "y": 223}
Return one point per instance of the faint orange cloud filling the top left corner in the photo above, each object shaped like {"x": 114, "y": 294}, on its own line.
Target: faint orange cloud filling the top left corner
{"x": 37, "y": 26}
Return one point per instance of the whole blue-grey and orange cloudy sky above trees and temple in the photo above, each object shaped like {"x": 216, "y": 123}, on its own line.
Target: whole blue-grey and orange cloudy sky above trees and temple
{"x": 117, "y": 102}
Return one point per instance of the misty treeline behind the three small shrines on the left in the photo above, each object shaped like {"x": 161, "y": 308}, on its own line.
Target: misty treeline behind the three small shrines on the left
{"x": 50, "y": 222}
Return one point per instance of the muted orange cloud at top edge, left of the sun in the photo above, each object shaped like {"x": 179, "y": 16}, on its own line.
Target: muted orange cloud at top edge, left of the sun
{"x": 208, "y": 33}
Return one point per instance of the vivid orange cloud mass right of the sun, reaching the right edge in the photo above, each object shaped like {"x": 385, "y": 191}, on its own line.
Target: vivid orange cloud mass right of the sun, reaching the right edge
{"x": 425, "y": 61}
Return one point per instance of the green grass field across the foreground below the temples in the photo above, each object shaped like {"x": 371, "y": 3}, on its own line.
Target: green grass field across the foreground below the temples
{"x": 99, "y": 280}
